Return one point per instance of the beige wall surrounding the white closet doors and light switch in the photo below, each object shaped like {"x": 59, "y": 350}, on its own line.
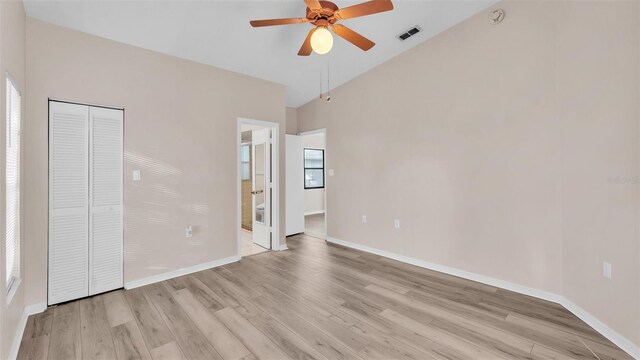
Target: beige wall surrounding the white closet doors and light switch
{"x": 180, "y": 131}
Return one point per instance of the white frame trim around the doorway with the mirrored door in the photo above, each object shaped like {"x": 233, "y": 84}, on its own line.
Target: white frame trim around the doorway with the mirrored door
{"x": 275, "y": 175}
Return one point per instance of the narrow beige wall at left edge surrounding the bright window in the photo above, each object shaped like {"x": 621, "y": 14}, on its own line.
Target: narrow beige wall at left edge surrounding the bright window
{"x": 12, "y": 59}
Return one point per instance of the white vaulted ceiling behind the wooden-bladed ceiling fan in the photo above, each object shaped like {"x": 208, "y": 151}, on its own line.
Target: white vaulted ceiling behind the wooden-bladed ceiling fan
{"x": 218, "y": 33}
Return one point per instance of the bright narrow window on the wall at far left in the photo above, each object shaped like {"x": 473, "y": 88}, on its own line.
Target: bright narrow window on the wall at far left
{"x": 12, "y": 188}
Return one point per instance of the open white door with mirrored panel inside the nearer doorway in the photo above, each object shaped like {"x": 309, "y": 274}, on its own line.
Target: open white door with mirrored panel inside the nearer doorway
{"x": 261, "y": 187}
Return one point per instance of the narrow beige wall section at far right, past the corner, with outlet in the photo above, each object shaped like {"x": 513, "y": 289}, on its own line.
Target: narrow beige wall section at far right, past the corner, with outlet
{"x": 598, "y": 96}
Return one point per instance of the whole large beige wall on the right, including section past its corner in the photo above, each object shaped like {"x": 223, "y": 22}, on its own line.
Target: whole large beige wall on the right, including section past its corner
{"x": 493, "y": 146}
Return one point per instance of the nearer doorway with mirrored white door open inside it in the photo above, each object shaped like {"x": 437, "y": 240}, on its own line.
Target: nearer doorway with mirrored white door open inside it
{"x": 257, "y": 187}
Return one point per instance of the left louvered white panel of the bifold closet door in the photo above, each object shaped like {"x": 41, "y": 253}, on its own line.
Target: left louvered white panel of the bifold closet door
{"x": 68, "y": 202}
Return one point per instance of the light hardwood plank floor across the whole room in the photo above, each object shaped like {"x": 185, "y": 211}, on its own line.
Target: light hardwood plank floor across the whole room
{"x": 315, "y": 301}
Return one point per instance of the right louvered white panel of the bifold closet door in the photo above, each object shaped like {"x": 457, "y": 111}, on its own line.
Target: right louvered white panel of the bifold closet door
{"x": 105, "y": 192}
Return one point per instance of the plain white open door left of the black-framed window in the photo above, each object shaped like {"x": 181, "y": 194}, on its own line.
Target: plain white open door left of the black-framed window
{"x": 295, "y": 185}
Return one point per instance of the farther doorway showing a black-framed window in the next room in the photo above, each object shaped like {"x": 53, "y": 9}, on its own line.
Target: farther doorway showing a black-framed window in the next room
{"x": 314, "y": 145}
